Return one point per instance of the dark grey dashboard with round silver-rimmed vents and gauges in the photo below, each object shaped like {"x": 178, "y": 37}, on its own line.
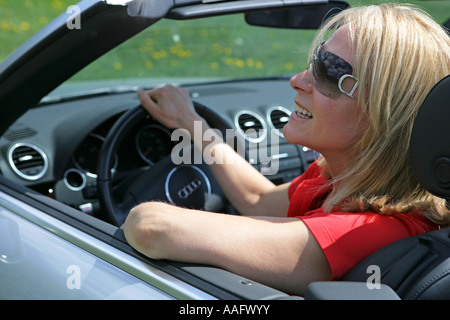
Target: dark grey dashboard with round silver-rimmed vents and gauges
{"x": 54, "y": 148}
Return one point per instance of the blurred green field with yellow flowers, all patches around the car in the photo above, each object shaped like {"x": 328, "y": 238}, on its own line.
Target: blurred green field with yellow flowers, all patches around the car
{"x": 223, "y": 47}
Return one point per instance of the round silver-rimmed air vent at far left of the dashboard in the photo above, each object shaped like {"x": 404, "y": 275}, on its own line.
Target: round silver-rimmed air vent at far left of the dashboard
{"x": 28, "y": 161}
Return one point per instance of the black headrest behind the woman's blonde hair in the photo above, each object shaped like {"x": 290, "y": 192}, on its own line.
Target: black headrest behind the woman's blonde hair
{"x": 430, "y": 141}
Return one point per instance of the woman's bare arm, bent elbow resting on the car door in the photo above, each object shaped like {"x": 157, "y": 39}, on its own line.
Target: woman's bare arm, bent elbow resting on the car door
{"x": 279, "y": 252}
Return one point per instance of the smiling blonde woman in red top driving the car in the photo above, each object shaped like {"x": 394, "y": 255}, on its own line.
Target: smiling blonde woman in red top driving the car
{"x": 370, "y": 70}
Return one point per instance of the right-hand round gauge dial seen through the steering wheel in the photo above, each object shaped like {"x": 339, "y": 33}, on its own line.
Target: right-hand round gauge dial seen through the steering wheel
{"x": 153, "y": 143}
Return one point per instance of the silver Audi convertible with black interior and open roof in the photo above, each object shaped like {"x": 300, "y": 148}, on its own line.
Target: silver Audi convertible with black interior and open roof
{"x": 77, "y": 151}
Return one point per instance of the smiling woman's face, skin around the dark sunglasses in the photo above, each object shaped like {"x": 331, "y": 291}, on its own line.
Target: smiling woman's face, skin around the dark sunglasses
{"x": 329, "y": 126}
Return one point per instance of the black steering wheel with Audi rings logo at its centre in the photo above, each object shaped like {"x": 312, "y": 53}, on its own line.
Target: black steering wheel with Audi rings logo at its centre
{"x": 189, "y": 185}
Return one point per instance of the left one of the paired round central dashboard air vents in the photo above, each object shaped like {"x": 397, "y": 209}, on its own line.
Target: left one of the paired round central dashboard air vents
{"x": 250, "y": 125}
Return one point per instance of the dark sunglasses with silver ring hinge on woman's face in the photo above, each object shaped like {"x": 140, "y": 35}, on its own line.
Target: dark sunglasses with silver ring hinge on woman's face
{"x": 329, "y": 72}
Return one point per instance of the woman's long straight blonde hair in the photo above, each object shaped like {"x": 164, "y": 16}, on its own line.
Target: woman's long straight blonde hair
{"x": 400, "y": 53}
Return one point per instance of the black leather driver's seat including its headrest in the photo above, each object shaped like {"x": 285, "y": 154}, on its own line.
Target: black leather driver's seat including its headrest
{"x": 414, "y": 268}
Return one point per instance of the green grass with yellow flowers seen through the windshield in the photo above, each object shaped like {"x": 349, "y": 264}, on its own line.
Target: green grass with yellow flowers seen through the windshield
{"x": 218, "y": 47}
